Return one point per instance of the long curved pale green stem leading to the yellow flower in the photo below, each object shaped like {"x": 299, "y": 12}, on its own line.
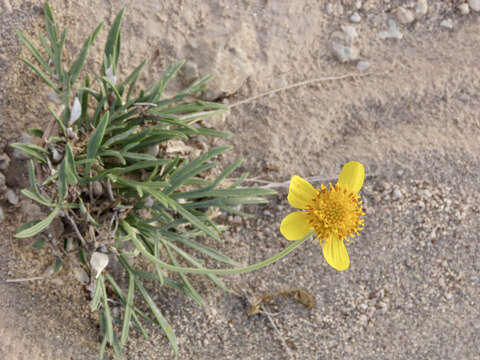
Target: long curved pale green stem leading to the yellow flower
{"x": 167, "y": 266}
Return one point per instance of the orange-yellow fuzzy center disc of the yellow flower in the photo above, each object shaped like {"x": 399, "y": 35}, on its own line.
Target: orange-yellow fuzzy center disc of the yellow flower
{"x": 336, "y": 211}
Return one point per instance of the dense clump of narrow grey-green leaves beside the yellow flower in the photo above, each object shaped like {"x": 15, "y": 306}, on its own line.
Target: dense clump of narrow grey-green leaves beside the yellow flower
{"x": 104, "y": 169}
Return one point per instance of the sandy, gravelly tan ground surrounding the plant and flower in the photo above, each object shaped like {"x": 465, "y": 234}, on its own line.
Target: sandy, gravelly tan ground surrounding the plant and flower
{"x": 412, "y": 289}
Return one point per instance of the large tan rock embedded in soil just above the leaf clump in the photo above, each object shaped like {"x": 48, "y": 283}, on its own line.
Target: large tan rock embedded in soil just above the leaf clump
{"x": 225, "y": 57}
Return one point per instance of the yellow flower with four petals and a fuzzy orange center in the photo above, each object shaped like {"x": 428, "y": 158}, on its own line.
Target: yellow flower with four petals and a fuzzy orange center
{"x": 332, "y": 213}
